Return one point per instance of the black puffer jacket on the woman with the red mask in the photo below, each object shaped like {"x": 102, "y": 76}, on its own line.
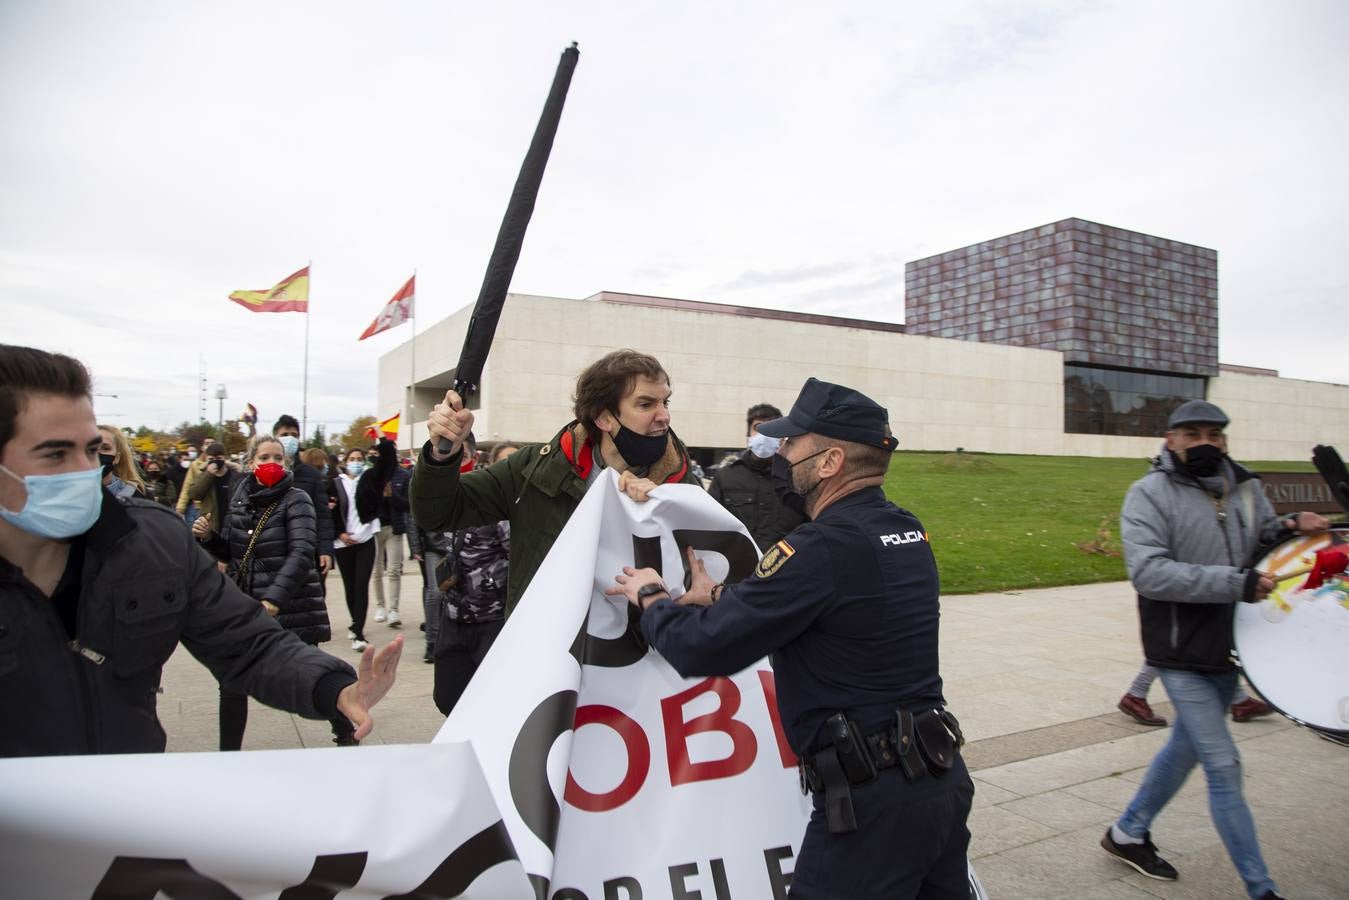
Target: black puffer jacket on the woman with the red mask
{"x": 283, "y": 565}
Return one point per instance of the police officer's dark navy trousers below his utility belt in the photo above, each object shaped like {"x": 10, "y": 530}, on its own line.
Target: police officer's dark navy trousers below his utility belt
{"x": 911, "y": 843}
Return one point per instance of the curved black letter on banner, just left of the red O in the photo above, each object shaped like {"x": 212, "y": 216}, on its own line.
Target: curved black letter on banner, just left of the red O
{"x": 529, "y": 789}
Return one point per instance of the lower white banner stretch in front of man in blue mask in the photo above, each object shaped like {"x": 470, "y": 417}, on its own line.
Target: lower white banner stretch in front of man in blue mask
{"x": 269, "y": 824}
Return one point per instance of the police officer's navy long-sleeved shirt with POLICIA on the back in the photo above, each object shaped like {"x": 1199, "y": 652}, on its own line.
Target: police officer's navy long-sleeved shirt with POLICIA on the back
{"x": 846, "y": 605}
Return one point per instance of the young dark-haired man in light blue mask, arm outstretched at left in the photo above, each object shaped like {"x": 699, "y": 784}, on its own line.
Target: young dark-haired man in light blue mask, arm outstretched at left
{"x": 96, "y": 593}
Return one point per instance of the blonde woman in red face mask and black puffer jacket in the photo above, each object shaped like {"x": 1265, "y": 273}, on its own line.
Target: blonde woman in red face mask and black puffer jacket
{"x": 268, "y": 542}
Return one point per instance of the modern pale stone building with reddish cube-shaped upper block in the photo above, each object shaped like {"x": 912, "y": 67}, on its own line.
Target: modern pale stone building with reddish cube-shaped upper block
{"x": 1068, "y": 339}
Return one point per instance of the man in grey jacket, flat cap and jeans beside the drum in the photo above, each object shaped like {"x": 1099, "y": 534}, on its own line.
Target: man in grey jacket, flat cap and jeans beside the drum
{"x": 1190, "y": 530}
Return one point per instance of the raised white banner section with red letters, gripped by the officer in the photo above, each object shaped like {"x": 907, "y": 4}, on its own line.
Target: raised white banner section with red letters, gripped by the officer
{"x": 667, "y": 787}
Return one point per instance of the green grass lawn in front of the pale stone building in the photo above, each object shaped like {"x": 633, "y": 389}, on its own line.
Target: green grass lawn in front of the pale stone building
{"x": 1006, "y": 523}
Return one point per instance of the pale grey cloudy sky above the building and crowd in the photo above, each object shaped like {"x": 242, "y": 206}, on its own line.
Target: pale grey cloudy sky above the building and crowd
{"x": 157, "y": 156}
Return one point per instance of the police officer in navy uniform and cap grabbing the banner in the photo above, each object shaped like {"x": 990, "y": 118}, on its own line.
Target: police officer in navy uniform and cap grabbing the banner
{"x": 848, "y": 607}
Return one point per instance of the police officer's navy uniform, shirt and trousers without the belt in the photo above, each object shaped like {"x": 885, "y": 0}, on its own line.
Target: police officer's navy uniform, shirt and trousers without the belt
{"x": 848, "y": 608}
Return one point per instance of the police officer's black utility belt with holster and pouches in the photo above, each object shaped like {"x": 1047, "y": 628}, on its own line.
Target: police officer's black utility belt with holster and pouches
{"x": 921, "y": 744}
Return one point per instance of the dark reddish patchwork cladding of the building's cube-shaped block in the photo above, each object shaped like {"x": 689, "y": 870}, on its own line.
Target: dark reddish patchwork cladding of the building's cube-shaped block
{"x": 1100, "y": 295}
